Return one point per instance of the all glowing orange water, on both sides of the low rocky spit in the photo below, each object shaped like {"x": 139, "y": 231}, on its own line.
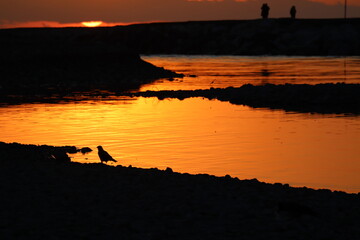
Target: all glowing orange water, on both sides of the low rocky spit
{"x": 203, "y": 136}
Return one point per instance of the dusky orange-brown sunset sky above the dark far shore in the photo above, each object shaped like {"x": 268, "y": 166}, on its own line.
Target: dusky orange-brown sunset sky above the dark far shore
{"x": 54, "y": 13}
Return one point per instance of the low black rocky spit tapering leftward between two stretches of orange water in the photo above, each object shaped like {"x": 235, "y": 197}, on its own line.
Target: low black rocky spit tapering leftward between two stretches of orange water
{"x": 321, "y": 98}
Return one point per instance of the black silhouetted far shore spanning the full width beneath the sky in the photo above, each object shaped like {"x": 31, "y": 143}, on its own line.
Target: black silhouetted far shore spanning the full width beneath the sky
{"x": 58, "y": 62}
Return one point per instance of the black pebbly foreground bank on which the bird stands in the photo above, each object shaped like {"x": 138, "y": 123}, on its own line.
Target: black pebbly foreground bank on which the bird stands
{"x": 44, "y": 196}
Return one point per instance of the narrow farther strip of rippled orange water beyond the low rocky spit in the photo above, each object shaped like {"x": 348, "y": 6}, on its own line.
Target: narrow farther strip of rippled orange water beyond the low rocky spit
{"x": 225, "y": 71}
